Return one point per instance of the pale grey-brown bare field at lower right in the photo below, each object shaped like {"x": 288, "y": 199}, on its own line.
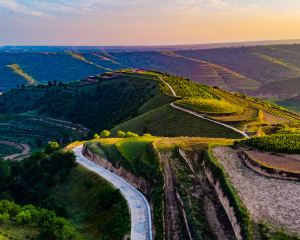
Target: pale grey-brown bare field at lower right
{"x": 276, "y": 201}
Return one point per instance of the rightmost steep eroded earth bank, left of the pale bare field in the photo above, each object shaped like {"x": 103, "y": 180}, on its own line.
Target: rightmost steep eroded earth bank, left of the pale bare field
{"x": 215, "y": 205}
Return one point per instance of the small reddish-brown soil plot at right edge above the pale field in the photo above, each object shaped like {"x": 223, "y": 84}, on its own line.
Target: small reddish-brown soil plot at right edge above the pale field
{"x": 286, "y": 163}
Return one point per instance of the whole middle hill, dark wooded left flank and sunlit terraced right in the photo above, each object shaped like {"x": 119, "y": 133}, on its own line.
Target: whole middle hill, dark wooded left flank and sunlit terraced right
{"x": 133, "y": 100}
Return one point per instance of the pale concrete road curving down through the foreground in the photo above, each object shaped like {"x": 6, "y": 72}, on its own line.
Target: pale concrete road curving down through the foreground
{"x": 141, "y": 225}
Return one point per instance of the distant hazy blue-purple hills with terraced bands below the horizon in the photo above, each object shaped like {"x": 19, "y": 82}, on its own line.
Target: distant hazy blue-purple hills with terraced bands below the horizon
{"x": 252, "y": 70}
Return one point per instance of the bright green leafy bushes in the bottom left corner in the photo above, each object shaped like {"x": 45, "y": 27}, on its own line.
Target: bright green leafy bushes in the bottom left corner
{"x": 50, "y": 226}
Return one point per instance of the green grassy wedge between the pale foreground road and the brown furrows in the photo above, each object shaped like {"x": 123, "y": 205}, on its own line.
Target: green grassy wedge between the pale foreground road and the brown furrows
{"x": 139, "y": 156}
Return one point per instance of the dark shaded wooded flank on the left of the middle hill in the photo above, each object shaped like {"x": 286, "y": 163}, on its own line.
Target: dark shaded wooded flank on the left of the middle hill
{"x": 84, "y": 102}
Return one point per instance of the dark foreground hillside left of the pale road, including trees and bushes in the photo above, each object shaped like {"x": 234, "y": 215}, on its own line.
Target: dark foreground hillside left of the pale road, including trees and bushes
{"x": 54, "y": 181}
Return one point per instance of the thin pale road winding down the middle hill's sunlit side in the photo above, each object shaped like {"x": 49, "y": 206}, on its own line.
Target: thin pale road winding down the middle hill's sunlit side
{"x": 199, "y": 115}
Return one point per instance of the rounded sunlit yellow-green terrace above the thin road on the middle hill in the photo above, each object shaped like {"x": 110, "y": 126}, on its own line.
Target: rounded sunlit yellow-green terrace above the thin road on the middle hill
{"x": 211, "y": 106}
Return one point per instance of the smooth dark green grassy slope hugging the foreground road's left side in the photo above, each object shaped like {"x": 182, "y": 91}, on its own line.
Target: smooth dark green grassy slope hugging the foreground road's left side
{"x": 87, "y": 211}
